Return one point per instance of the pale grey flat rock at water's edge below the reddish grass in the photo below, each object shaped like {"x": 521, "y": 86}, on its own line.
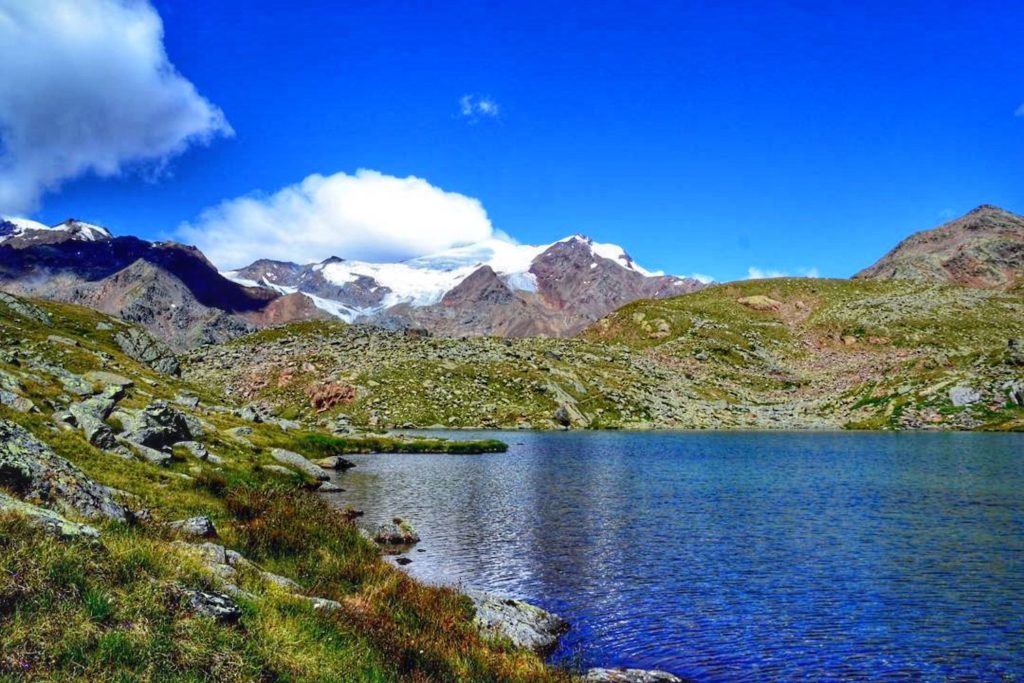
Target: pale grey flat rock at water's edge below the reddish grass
{"x": 522, "y": 623}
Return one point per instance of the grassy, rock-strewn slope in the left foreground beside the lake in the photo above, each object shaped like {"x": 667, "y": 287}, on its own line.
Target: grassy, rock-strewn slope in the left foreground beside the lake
{"x": 315, "y": 601}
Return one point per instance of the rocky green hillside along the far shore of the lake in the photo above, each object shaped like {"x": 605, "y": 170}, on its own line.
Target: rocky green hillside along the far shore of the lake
{"x": 781, "y": 354}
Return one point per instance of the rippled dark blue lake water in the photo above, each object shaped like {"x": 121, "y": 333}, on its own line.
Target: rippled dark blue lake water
{"x": 737, "y": 557}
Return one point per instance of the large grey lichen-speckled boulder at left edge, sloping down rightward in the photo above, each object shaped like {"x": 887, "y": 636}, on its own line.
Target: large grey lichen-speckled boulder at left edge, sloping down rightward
{"x": 35, "y": 474}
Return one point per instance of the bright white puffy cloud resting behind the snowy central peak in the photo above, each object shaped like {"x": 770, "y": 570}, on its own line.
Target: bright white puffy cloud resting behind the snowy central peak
{"x": 367, "y": 217}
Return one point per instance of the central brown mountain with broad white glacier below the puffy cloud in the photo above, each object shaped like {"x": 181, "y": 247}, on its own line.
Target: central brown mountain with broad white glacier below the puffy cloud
{"x": 493, "y": 287}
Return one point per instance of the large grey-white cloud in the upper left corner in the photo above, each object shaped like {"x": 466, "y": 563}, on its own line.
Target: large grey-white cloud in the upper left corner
{"x": 87, "y": 88}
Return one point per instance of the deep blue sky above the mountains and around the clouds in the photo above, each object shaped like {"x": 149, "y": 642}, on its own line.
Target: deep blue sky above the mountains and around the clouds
{"x": 705, "y": 138}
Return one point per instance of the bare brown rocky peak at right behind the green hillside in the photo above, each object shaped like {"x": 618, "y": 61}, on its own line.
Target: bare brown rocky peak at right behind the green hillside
{"x": 986, "y": 248}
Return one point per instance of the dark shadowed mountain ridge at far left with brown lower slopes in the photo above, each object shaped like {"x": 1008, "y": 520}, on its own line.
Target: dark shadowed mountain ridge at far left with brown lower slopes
{"x": 170, "y": 289}
